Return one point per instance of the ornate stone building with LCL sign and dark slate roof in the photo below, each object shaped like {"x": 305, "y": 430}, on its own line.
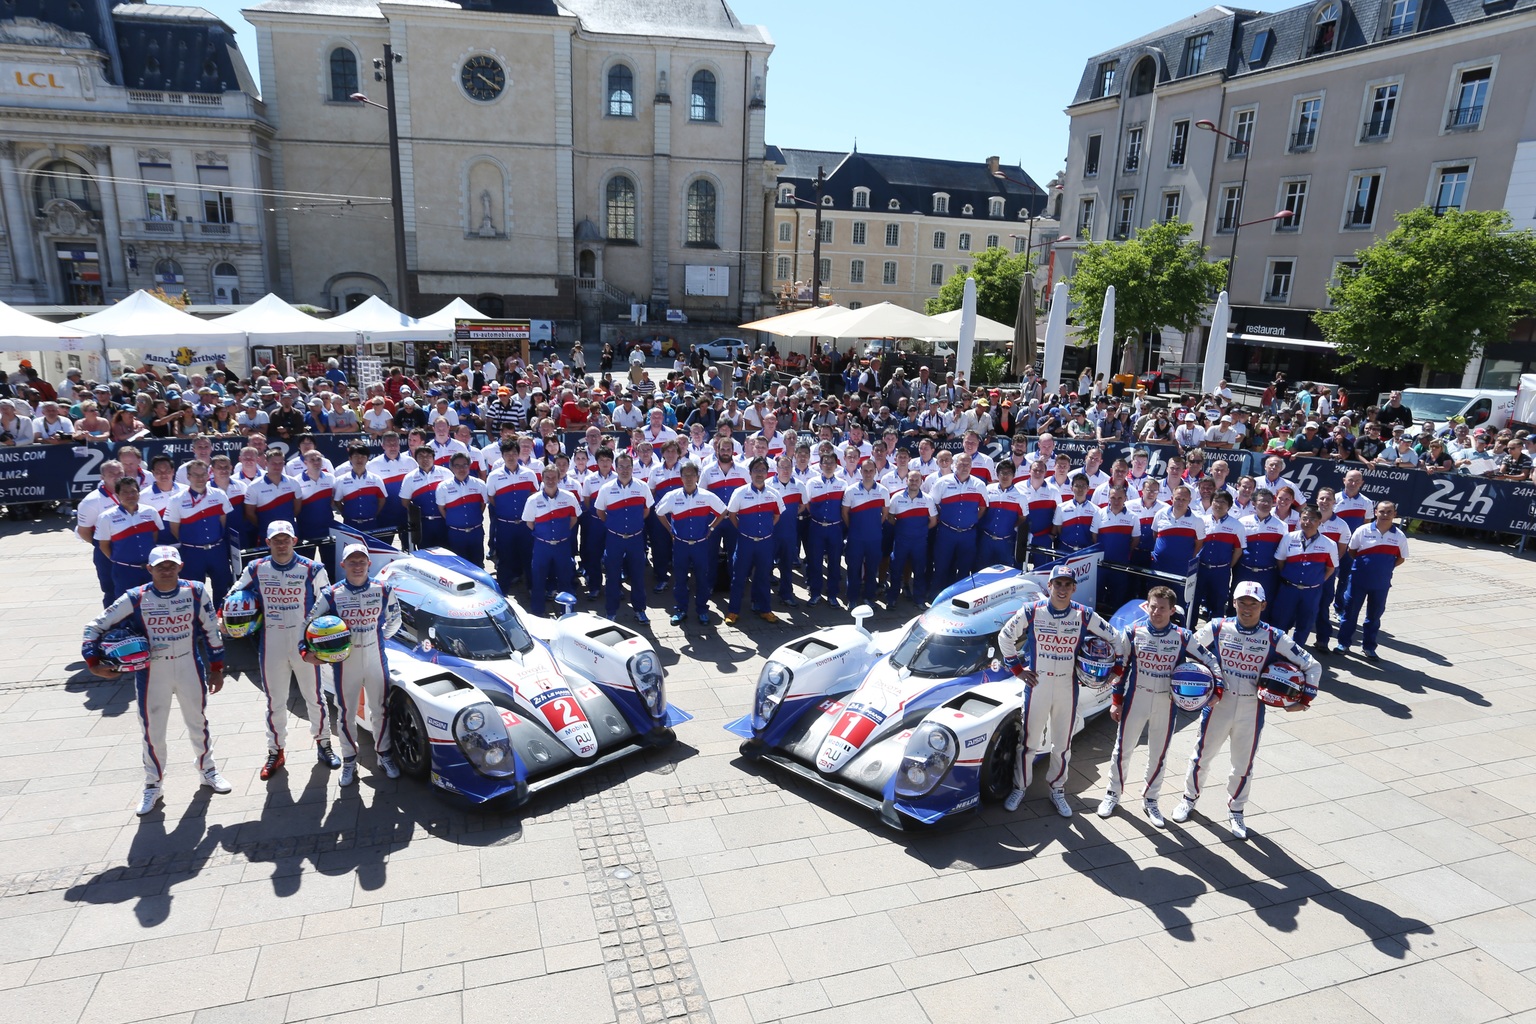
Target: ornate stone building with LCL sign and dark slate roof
{"x": 136, "y": 154}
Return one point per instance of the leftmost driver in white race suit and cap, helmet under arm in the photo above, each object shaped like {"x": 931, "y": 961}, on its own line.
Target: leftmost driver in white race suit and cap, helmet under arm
{"x": 187, "y": 658}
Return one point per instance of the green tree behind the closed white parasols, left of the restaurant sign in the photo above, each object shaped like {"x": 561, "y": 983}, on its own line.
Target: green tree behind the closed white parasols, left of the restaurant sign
{"x": 1160, "y": 277}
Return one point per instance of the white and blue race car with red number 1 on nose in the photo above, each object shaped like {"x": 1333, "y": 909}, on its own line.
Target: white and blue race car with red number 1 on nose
{"x": 918, "y": 722}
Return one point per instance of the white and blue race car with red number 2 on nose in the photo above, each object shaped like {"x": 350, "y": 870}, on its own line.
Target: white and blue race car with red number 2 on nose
{"x": 491, "y": 702}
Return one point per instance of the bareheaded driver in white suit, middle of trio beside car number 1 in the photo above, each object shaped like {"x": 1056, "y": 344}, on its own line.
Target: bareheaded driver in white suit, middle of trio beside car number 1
{"x": 1144, "y": 699}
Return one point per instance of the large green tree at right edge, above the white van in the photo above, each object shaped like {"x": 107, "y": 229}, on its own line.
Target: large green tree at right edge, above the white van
{"x": 1432, "y": 292}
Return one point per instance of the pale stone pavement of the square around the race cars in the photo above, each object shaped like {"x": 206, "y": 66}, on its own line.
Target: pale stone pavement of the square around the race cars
{"x": 1391, "y": 873}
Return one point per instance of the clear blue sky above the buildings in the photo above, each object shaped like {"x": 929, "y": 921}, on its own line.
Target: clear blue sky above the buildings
{"x": 958, "y": 81}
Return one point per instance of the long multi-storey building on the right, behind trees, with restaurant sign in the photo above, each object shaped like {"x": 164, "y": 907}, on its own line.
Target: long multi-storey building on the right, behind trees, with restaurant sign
{"x": 1343, "y": 113}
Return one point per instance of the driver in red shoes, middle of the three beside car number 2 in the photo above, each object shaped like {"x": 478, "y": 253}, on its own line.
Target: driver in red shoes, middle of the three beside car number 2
{"x": 286, "y": 586}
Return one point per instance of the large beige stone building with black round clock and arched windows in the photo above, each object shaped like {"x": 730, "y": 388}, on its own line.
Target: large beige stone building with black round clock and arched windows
{"x": 558, "y": 160}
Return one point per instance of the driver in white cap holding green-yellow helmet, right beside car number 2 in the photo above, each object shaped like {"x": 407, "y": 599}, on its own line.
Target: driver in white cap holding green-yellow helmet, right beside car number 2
{"x": 372, "y": 616}
